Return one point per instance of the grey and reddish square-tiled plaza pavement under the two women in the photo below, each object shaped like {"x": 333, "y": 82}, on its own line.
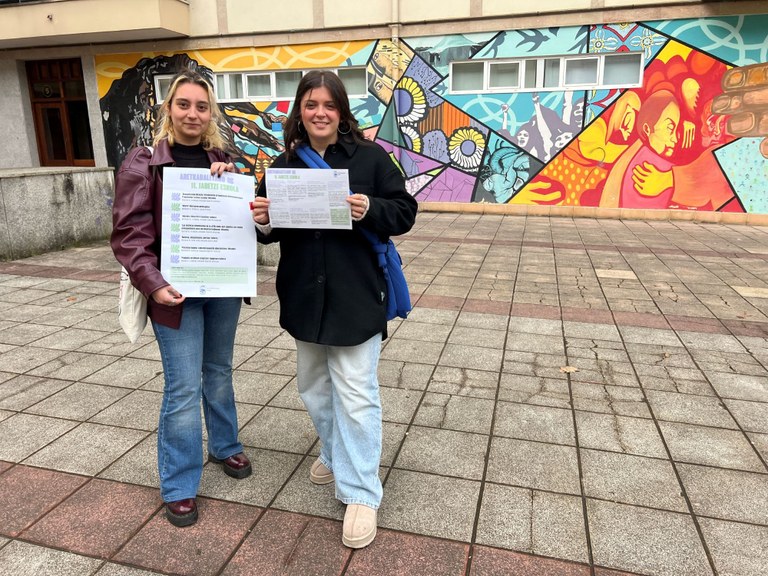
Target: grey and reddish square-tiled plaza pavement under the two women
{"x": 569, "y": 397}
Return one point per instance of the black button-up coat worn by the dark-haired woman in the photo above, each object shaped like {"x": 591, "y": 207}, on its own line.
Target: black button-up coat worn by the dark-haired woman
{"x": 330, "y": 287}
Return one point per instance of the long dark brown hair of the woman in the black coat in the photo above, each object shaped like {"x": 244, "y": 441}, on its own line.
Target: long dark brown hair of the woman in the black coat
{"x": 295, "y": 133}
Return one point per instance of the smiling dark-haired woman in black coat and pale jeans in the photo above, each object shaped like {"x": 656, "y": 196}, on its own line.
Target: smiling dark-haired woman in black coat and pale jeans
{"x": 333, "y": 296}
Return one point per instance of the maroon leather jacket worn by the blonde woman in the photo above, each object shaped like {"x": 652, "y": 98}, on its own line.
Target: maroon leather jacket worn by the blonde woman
{"x": 137, "y": 223}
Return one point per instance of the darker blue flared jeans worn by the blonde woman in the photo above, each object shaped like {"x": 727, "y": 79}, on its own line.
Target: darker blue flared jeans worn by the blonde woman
{"x": 197, "y": 365}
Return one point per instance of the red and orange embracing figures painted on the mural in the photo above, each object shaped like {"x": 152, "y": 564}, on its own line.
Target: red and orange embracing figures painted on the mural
{"x": 671, "y": 163}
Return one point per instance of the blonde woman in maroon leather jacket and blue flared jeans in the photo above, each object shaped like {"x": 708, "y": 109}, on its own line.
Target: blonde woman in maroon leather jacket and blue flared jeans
{"x": 196, "y": 336}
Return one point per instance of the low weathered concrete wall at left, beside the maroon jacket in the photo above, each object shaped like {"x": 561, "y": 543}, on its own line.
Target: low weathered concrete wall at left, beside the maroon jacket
{"x": 48, "y": 209}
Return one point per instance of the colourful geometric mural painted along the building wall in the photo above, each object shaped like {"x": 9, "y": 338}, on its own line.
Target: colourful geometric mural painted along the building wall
{"x": 694, "y": 136}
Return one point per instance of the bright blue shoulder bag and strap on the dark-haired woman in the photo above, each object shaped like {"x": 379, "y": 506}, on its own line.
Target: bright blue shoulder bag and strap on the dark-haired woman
{"x": 398, "y": 298}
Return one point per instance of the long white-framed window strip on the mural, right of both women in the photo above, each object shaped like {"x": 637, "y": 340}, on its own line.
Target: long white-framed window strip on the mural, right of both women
{"x": 594, "y": 71}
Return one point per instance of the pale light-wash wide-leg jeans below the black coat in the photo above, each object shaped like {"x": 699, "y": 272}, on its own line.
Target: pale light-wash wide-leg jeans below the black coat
{"x": 340, "y": 389}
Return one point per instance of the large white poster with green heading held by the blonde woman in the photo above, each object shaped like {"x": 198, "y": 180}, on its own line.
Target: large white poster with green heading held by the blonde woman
{"x": 208, "y": 239}
